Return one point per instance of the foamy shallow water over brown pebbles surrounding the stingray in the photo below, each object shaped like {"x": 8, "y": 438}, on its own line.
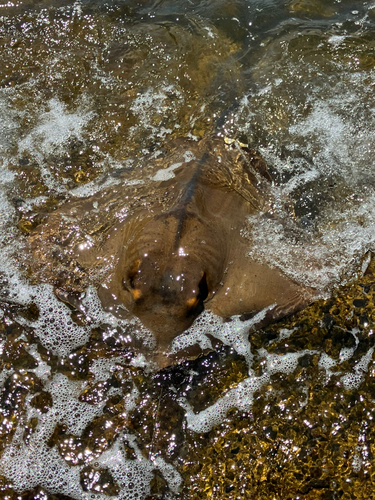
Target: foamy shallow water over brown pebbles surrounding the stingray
{"x": 89, "y": 92}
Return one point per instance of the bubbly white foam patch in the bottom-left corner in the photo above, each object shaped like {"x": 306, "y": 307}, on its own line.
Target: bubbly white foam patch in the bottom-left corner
{"x": 36, "y": 464}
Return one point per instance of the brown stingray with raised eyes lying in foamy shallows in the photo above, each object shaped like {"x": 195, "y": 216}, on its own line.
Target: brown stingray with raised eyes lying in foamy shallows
{"x": 167, "y": 249}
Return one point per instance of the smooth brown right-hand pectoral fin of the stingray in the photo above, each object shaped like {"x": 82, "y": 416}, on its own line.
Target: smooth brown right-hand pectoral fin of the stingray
{"x": 252, "y": 287}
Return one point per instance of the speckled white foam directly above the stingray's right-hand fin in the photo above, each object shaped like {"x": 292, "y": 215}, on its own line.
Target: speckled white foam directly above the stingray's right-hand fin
{"x": 322, "y": 260}
